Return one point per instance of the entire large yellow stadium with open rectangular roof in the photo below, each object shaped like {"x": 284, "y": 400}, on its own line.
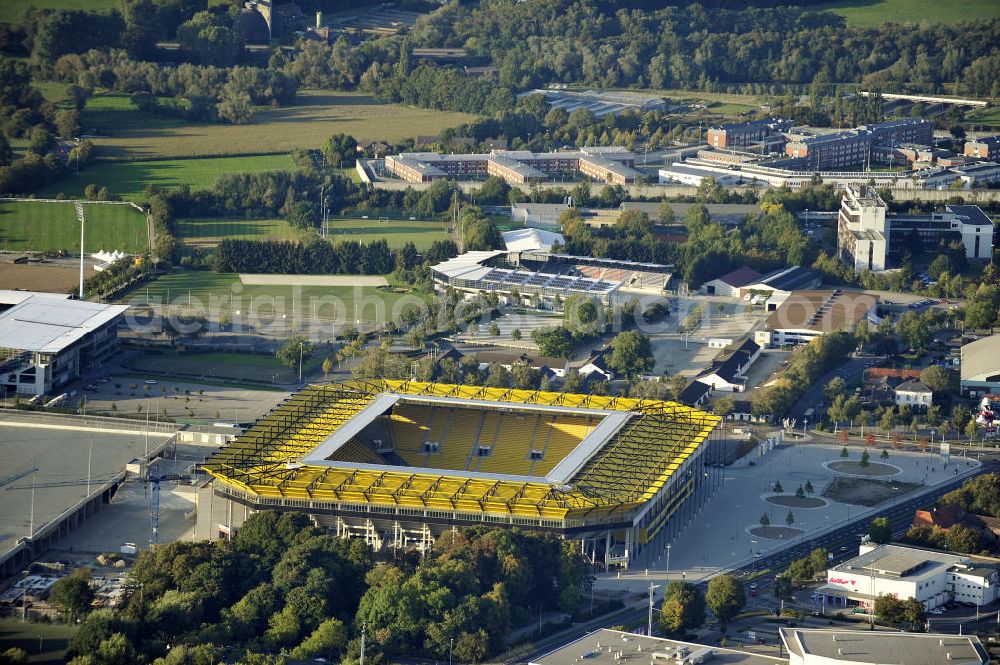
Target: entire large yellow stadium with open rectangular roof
{"x": 399, "y": 462}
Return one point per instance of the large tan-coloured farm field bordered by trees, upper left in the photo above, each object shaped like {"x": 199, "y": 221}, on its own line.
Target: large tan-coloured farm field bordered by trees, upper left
{"x": 128, "y": 134}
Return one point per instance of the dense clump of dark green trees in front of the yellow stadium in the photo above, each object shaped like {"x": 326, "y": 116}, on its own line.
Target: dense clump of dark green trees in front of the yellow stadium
{"x": 282, "y": 584}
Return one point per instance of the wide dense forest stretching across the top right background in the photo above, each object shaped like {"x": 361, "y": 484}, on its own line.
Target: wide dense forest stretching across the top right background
{"x": 733, "y": 49}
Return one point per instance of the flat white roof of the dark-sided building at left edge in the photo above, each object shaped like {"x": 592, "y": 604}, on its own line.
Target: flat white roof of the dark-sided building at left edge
{"x": 49, "y": 322}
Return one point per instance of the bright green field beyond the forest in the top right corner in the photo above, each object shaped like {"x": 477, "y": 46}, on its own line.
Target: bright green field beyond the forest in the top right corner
{"x": 870, "y": 13}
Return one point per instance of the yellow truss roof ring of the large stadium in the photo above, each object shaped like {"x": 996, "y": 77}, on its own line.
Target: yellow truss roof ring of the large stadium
{"x": 279, "y": 457}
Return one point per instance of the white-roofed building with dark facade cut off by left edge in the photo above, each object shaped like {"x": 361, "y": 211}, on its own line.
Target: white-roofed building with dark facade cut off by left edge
{"x": 47, "y": 340}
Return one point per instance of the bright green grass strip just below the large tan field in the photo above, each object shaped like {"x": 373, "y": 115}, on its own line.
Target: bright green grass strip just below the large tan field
{"x": 129, "y": 179}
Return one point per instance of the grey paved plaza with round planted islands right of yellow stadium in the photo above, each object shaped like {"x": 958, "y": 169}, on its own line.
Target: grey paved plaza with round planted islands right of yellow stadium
{"x": 726, "y": 528}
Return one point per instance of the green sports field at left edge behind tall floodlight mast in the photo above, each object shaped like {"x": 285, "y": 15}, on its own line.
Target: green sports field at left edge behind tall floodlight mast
{"x": 52, "y": 226}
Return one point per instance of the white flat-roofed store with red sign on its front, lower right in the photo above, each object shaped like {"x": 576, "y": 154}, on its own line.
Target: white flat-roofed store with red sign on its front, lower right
{"x": 933, "y": 578}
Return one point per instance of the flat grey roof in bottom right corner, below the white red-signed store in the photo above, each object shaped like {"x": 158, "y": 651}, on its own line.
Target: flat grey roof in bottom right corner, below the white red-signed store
{"x": 884, "y": 648}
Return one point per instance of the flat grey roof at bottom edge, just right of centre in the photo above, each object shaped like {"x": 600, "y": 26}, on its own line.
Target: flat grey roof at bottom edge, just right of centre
{"x": 601, "y": 646}
